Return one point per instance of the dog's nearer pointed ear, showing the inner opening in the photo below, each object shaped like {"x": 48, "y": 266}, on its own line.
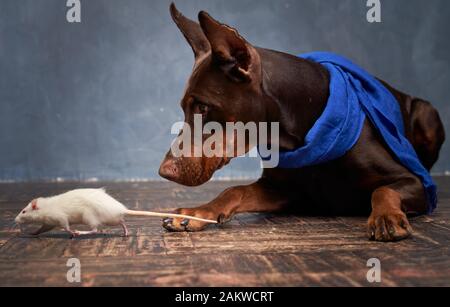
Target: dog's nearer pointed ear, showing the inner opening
{"x": 229, "y": 49}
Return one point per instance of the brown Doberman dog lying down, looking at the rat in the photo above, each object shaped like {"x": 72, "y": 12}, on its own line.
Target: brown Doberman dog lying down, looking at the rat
{"x": 234, "y": 81}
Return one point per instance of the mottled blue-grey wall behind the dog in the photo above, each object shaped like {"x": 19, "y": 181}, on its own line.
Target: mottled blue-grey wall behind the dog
{"x": 97, "y": 99}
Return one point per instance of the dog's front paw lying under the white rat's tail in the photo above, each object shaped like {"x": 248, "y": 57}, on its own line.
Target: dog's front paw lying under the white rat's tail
{"x": 180, "y": 224}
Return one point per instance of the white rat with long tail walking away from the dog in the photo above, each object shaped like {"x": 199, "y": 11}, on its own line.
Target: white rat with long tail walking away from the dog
{"x": 92, "y": 207}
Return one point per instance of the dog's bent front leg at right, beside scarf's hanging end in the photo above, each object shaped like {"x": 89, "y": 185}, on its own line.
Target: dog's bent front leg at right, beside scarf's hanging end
{"x": 388, "y": 221}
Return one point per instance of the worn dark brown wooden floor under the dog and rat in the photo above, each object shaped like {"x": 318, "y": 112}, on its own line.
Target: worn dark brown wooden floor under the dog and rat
{"x": 252, "y": 250}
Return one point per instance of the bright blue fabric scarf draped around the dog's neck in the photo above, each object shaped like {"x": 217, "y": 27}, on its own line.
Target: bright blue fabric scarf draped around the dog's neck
{"x": 355, "y": 95}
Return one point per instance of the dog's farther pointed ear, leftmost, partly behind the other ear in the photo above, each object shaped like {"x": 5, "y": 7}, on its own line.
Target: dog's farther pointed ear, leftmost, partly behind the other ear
{"x": 191, "y": 31}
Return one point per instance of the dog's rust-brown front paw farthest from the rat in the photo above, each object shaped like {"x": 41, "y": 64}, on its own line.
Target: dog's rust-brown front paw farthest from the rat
{"x": 388, "y": 226}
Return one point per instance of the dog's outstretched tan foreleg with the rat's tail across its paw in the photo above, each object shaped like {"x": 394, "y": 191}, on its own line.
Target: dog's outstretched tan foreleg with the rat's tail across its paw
{"x": 257, "y": 197}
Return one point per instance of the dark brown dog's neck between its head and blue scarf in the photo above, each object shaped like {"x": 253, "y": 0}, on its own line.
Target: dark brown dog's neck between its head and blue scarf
{"x": 297, "y": 91}
